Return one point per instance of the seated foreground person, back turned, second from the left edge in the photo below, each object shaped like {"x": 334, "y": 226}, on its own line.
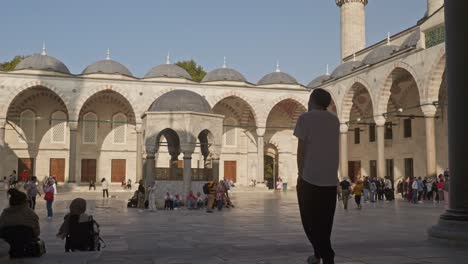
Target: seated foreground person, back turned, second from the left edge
{"x": 80, "y": 231}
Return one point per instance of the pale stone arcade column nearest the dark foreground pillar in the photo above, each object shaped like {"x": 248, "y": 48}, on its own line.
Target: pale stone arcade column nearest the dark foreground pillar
{"x": 431, "y": 161}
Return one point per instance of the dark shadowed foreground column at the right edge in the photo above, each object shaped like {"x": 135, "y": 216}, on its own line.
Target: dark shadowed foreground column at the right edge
{"x": 453, "y": 224}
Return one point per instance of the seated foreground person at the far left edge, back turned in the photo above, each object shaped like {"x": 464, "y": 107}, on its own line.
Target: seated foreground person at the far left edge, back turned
{"x": 19, "y": 227}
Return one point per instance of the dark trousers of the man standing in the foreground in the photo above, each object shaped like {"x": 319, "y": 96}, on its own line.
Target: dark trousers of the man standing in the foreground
{"x": 317, "y": 206}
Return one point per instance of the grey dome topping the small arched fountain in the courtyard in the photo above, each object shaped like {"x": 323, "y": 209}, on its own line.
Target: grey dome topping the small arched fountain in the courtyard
{"x": 181, "y": 101}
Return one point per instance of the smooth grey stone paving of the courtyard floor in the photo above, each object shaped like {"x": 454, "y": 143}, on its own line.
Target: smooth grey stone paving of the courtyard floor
{"x": 263, "y": 228}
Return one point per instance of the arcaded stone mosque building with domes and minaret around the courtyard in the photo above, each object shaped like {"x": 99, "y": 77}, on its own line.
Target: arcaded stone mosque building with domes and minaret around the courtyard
{"x": 390, "y": 98}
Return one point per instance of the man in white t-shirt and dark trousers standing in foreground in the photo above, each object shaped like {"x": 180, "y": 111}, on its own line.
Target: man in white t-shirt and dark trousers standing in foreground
{"x": 318, "y": 132}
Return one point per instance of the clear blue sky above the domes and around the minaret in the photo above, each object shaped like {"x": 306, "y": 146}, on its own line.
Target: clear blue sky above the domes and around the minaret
{"x": 304, "y": 35}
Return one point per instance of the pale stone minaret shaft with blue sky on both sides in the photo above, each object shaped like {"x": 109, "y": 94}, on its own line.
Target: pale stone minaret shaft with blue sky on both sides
{"x": 353, "y": 26}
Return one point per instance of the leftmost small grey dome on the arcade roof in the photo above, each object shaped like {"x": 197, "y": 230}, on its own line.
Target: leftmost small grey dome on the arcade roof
{"x": 42, "y": 63}
